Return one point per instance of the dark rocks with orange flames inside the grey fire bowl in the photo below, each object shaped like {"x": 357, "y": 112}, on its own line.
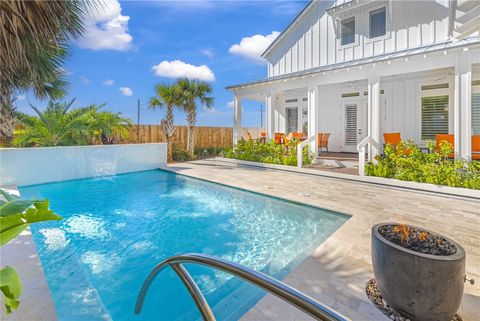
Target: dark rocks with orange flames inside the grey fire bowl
{"x": 417, "y": 240}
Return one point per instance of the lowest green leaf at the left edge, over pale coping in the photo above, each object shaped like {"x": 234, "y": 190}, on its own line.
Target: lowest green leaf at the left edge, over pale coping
{"x": 11, "y": 288}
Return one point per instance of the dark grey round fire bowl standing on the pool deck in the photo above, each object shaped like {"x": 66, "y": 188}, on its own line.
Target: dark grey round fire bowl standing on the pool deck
{"x": 419, "y": 286}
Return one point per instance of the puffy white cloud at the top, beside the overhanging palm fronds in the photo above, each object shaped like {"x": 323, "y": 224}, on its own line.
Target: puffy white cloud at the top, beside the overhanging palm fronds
{"x": 106, "y": 28}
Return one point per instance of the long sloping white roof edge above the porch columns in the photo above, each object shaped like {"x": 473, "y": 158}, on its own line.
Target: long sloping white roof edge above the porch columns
{"x": 385, "y": 58}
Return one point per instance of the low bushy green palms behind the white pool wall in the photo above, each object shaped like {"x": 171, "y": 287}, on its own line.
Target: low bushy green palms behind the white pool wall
{"x": 57, "y": 125}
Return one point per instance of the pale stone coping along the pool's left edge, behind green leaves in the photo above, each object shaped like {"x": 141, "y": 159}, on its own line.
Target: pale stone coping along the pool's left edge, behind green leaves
{"x": 21, "y": 254}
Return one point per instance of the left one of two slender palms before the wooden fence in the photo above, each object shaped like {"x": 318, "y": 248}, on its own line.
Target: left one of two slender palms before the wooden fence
{"x": 168, "y": 96}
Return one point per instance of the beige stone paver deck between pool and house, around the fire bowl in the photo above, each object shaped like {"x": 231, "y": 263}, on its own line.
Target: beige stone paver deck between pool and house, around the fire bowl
{"x": 336, "y": 273}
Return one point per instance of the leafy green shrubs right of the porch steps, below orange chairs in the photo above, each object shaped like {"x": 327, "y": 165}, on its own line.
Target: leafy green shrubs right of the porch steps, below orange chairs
{"x": 407, "y": 162}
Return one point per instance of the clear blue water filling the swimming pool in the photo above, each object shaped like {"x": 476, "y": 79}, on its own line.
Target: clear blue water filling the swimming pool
{"x": 116, "y": 229}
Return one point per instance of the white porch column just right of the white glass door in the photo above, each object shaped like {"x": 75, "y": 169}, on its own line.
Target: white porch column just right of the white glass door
{"x": 374, "y": 118}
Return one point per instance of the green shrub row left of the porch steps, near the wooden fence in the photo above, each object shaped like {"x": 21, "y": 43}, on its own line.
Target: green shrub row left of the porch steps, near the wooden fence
{"x": 257, "y": 151}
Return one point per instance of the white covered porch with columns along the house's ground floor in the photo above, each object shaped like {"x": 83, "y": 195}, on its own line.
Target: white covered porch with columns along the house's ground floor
{"x": 417, "y": 93}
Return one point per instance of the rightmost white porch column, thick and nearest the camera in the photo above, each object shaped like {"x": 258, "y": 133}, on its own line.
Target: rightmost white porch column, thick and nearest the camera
{"x": 462, "y": 113}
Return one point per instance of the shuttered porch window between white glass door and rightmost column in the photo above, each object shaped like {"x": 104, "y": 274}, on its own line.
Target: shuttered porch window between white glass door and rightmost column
{"x": 434, "y": 116}
